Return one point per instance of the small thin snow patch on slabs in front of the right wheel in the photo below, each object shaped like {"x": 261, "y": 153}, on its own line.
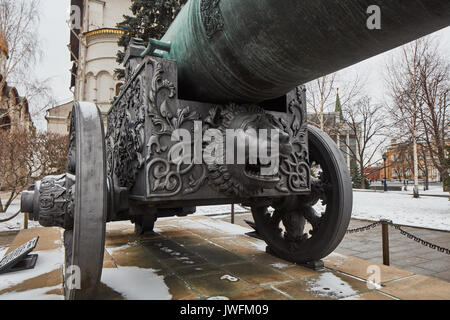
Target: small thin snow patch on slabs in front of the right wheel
{"x": 330, "y": 285}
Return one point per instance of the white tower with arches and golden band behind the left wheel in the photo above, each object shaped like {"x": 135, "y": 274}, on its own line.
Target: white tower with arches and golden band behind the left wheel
{"x": 93, "y": 48}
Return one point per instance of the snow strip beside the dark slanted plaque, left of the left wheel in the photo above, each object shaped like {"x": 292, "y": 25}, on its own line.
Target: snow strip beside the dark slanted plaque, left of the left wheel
{"x": 47, "y": 261}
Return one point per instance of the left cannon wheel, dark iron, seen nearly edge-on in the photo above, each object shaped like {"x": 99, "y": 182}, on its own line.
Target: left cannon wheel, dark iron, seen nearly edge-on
{"x": 84, "y": 245}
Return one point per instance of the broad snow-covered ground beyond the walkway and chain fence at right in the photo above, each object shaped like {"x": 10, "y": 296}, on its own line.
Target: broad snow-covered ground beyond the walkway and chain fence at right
{"x": 426, "y": 212}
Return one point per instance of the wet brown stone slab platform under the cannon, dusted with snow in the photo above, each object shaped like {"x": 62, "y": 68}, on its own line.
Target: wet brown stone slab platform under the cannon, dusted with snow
{"x": 202, "y": 257}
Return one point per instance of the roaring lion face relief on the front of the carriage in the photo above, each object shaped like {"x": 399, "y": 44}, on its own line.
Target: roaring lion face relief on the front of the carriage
{"x": 259, "y": 144}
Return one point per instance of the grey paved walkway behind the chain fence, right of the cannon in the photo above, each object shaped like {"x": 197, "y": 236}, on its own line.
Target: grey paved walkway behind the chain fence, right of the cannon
{"x": 404, "y": 253}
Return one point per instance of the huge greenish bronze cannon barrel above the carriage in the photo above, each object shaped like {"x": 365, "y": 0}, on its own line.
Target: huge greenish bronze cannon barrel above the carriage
{"x": 255, "y": 50}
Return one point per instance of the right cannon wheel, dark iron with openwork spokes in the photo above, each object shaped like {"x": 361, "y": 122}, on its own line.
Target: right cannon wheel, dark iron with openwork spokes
{"x": 295, "y": 231}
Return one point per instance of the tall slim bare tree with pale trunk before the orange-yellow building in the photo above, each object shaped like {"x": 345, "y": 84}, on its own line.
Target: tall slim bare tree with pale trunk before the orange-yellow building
{"x": 405, "y": 91}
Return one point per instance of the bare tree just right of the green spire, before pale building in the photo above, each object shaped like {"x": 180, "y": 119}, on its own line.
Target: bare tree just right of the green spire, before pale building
{"x": 366, "y": 122}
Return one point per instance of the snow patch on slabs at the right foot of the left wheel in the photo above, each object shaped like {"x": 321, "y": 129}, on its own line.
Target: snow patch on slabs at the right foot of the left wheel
{"x": 135, "y": 283}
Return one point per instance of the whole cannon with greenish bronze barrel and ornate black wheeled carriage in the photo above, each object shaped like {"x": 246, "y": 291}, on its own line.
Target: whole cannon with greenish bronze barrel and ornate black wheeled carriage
{"x": 222, "y": 65}
